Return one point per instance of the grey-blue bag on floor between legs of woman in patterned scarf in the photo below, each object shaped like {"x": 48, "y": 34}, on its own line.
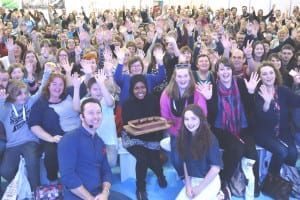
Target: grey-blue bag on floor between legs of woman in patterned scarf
{"x": 238, "y": 182}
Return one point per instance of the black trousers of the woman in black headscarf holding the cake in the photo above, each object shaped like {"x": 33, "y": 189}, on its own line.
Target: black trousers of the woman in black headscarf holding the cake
{"x": 145, "y": 158}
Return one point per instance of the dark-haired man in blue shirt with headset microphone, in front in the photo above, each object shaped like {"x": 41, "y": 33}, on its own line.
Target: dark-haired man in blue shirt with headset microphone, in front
{"x": 83, "y": 164}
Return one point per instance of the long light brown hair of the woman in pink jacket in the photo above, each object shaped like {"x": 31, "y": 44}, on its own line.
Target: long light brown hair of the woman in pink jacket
{"x": 172, "y": 88}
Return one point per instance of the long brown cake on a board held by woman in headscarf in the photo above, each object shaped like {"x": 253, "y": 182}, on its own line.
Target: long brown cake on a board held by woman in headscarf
{"x": 147, "y": 125}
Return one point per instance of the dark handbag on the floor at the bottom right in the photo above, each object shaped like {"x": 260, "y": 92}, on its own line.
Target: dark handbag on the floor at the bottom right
{"x": 277, "y": 187}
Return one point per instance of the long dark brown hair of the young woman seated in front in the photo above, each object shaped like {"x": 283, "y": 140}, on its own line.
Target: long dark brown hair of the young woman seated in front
{"x": 201, "y": 140}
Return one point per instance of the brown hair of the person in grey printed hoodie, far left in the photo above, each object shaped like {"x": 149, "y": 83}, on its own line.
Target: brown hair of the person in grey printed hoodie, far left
{"x": 14, "y": 89}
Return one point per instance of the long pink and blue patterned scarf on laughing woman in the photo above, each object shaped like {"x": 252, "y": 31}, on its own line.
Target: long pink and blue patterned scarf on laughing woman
{"x": 231, "y": 107}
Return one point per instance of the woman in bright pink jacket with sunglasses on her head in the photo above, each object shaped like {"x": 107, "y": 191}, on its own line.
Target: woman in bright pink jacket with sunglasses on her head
{"x": 180, "y": 92}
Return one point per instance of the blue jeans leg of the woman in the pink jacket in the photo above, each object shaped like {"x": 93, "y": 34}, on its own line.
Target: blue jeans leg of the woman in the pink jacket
{"x": 175, "y": 159}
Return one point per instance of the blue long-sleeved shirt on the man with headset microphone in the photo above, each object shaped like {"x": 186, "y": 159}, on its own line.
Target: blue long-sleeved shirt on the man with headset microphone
{"x": 82, "y": 161}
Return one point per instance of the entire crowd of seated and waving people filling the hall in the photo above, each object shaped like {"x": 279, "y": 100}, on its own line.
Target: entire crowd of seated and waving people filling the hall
{"x": 221, "y": 80}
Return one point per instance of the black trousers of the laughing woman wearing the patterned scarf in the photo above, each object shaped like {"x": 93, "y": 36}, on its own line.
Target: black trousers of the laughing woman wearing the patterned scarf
{"x": 234, "y": 150}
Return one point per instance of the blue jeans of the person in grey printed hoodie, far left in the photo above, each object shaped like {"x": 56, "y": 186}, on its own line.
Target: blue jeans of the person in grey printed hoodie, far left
{"x": 10, "y": 163}
